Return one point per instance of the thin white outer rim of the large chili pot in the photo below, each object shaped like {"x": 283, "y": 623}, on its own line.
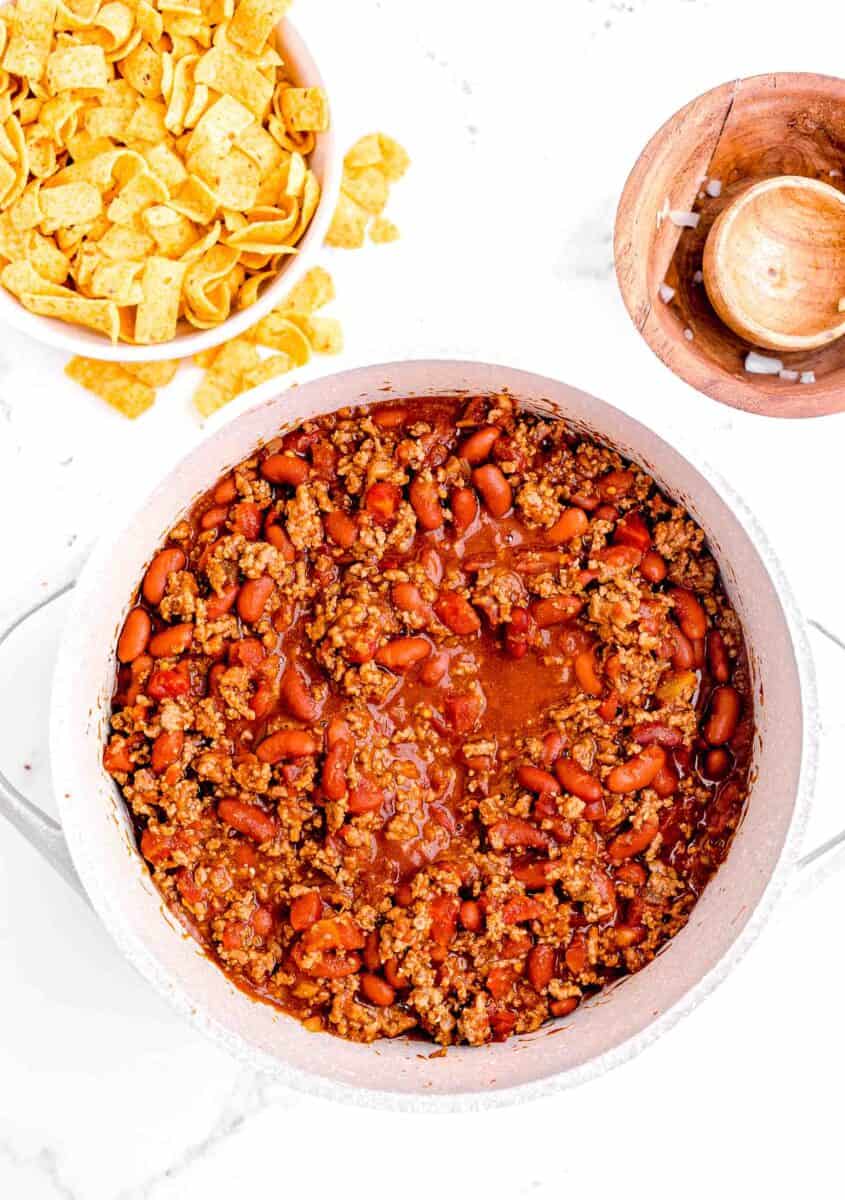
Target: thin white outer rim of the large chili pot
{"x": 135, "y": 949}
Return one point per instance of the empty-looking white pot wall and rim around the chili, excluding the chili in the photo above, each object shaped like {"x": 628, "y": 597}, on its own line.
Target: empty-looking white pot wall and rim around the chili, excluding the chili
{"x": 607, "y": 1030}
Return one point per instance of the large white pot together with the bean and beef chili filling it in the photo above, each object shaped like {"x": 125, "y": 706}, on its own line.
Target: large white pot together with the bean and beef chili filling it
{"x": 419, "y": 697}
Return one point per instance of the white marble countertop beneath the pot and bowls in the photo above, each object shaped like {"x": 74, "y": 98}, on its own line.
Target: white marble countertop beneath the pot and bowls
{"x": 523, "y": 122}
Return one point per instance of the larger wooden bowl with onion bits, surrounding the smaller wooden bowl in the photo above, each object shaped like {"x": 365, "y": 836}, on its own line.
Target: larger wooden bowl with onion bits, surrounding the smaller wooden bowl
{"x": 740, "y": 134}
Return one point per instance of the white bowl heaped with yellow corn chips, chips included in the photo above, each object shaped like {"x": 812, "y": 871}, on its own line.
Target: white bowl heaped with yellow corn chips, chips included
{"x": 167, "y": 171}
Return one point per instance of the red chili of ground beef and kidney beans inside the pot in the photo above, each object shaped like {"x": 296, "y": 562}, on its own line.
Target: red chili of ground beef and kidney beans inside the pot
{"x": 433, "y": 717}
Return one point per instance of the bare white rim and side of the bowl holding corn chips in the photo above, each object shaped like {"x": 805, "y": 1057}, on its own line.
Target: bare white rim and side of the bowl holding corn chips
{"x": 326, "y": 165}
